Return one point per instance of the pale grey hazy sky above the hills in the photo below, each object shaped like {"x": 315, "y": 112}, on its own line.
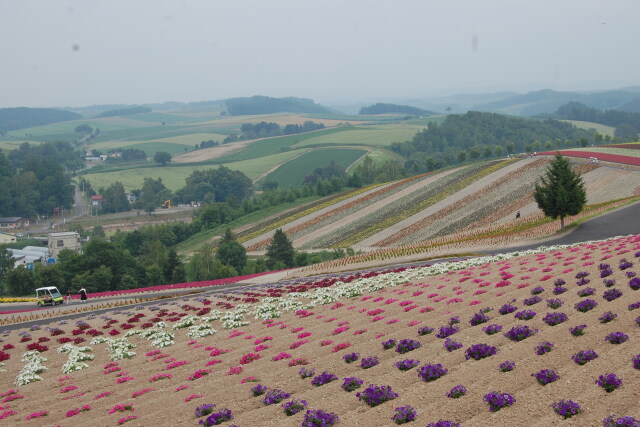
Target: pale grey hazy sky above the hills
{"x": 76, "y": 53}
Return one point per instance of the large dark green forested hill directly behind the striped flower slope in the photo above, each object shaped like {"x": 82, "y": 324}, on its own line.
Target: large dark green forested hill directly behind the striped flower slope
{"x": 475, "y": 134}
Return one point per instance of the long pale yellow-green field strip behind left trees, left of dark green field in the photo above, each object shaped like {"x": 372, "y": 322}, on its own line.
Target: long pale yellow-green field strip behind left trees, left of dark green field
{"x": 174, "y": 177}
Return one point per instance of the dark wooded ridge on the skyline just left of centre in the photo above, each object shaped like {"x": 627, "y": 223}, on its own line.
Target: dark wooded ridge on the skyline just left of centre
{"x": 267, "y": 105}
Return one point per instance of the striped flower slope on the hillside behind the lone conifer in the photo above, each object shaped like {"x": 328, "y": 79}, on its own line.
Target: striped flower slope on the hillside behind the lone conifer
{"x": 452, "y": 205}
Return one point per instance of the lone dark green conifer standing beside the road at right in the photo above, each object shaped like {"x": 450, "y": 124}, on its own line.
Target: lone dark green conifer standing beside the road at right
{"x": 561, "y": 191}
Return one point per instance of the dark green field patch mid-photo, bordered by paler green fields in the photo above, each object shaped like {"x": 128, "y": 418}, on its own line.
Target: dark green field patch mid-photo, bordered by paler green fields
{"x": 292, "y": 173}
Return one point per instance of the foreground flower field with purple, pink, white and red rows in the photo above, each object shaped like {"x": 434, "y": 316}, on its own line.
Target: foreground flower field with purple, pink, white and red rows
{"x": 544, "y": 337}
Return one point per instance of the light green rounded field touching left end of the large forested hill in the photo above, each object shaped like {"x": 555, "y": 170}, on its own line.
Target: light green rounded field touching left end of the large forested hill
{"x": 378, "y": 135}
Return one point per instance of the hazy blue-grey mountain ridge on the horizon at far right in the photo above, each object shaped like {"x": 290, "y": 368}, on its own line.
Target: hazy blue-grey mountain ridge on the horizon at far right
{"x": 548, "y": 101}
